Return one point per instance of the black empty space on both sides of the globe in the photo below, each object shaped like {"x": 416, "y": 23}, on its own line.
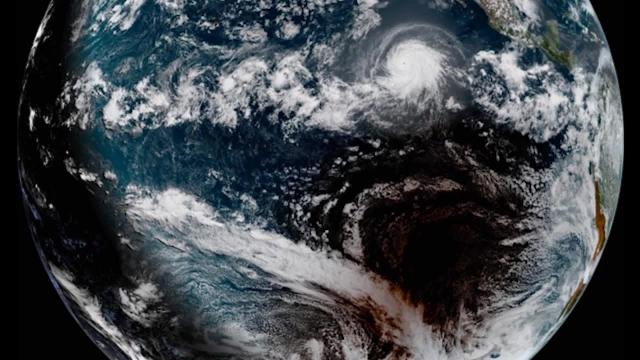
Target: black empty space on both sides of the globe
{"x": 595, "y": 329}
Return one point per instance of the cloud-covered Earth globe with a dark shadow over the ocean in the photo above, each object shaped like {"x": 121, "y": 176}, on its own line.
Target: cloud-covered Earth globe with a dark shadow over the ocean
{"x": 320, "y": 179}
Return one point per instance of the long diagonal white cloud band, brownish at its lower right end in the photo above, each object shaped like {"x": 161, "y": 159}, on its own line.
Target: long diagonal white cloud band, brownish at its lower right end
{"x": 293, "y": 265}
